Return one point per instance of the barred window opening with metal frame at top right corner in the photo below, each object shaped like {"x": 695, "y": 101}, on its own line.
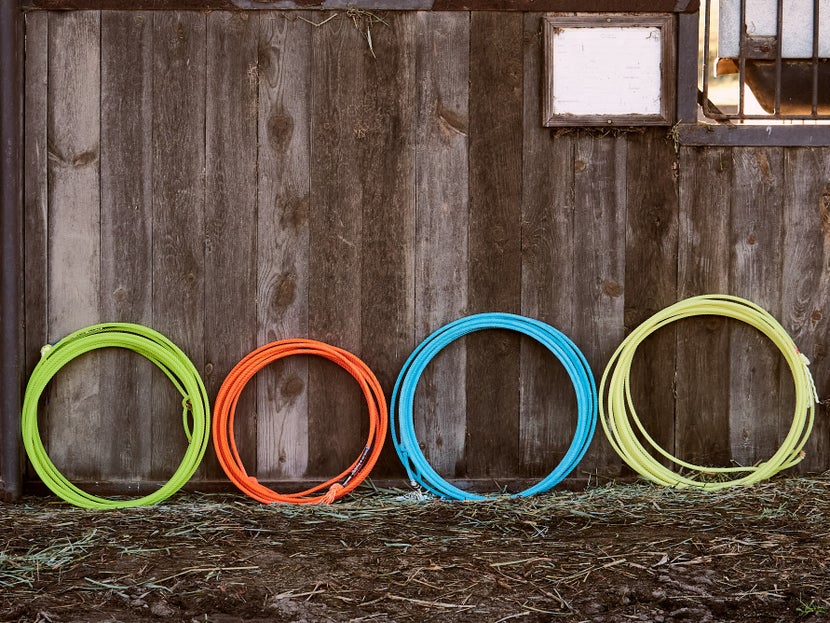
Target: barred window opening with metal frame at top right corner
{"x": 762, "y": 75}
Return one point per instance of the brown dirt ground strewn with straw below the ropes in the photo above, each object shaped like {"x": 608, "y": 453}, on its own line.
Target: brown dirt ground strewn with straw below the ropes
{"x": 613, "y": 553}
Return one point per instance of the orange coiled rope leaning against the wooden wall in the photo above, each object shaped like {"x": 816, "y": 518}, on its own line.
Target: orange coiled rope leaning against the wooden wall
{"x": 225, "y": 409}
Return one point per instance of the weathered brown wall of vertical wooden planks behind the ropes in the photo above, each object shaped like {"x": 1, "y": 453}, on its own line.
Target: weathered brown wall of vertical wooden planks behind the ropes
{"x": 235, "y": 178}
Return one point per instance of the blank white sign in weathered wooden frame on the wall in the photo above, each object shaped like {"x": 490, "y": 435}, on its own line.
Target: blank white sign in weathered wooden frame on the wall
{"x": 608, "y": 69}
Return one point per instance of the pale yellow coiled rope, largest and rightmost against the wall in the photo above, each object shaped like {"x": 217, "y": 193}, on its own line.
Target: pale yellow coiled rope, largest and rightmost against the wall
{"x": 617, "y": 411}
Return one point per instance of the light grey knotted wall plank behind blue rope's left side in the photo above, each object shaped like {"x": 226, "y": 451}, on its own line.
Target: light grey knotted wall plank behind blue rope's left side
{"x": 442, "y": 49}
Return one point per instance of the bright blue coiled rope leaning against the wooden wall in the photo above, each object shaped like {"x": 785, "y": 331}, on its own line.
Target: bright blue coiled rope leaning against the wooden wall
{"x": 403, "y": 428}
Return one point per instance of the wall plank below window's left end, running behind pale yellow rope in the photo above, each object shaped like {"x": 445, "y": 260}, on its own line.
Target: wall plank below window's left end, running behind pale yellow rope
{"x": 702, "y": 385}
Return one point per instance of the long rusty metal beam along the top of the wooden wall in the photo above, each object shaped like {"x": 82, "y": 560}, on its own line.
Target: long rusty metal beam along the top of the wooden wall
{"x": 599, "y": 6}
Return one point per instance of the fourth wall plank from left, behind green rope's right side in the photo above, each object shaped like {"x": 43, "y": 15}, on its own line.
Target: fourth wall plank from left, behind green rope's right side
{"x": 178, "y": 213}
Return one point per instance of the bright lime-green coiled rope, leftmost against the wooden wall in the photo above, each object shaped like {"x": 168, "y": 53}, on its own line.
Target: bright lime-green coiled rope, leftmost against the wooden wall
{"x": 164, "y": 354}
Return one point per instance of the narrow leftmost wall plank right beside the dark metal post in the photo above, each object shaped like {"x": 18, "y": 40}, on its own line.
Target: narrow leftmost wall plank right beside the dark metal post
{"x": 35, "y": 199}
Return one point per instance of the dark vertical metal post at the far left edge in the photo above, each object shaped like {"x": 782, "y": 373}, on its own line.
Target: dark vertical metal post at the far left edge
{"x": 10, "y": 245}
